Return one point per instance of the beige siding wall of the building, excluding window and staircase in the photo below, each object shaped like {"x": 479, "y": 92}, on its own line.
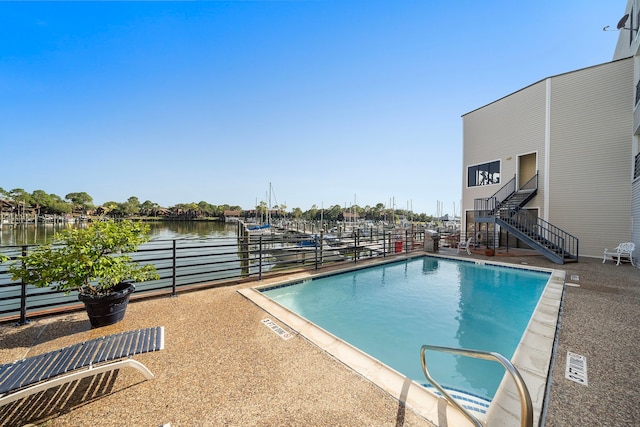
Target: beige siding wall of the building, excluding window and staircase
{"x": 579, "y": 125}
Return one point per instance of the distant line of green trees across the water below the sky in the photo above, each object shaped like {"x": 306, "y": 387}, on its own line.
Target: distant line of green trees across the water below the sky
{"x": 81, "y": 203}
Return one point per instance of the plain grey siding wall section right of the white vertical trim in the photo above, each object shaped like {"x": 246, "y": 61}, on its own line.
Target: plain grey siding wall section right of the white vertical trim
{"x": 589, "y": 169}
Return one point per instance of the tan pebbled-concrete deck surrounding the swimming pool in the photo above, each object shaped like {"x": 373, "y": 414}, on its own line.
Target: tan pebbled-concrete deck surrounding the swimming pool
{"x": 222, "y": 366}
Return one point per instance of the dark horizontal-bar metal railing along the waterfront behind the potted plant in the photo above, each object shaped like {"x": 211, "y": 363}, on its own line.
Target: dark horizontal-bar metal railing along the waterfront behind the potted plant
{"x": 188, "y": 263}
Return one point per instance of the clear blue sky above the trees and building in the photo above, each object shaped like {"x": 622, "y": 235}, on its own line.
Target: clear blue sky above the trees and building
{"x": 329, "y": 101}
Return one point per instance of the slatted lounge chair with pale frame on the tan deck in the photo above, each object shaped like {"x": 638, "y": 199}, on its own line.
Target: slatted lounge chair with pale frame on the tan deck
{"x": 34, "y": 374}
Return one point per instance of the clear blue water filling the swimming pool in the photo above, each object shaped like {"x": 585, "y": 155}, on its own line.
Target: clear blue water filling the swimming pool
{"x": 390, "y": 311}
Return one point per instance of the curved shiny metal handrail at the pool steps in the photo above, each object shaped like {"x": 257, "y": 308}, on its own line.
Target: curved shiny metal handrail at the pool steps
{"x": 526, "y": 407}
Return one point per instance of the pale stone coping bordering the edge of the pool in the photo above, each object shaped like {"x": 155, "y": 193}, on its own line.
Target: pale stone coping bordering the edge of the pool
{"x": 532, "y": 358}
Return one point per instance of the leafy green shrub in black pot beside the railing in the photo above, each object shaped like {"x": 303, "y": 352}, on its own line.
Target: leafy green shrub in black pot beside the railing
{"x": 94, "y": 262}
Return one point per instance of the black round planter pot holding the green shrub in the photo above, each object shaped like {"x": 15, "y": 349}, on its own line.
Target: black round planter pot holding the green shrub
{"x": 107, "y": 309}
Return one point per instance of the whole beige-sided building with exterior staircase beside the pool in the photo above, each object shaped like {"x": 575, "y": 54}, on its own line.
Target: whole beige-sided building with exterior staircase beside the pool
{"x": 572, "y": 138}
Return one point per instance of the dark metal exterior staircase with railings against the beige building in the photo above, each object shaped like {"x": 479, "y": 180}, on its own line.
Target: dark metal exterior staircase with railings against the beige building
{"x": 505, "y": 208}
